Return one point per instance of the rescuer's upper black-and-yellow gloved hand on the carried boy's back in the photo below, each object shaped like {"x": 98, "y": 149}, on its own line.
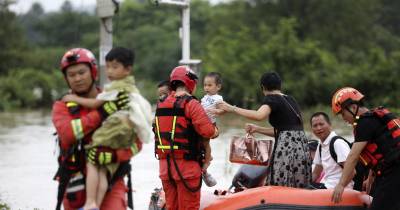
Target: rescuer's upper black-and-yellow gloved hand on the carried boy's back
{"x": 110, "y": 107}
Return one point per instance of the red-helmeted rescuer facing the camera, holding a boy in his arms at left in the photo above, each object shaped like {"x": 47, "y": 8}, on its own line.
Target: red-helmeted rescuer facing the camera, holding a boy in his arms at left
{"x": 74, "y": 125}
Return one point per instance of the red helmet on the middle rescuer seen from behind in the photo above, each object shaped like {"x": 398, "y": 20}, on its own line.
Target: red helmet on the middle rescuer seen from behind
{"x": 185, "y": 75}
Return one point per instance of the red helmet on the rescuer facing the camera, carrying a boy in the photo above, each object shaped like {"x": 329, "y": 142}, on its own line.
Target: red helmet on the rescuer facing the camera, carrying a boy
{"x": 79, "y": 55}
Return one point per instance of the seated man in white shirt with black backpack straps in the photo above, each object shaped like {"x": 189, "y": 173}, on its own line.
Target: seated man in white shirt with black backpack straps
{"x": 323, "y": 160}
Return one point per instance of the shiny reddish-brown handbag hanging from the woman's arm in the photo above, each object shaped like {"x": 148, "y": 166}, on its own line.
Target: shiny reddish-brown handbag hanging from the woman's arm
{"x": 248, "y": 150}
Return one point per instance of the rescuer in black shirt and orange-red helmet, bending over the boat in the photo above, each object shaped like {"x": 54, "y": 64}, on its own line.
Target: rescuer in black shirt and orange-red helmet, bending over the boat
{"x": 376, "y": 146}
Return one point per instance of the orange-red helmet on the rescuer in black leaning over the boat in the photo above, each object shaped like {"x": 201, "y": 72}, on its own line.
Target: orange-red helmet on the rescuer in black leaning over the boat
{"x": 344, "y": 97}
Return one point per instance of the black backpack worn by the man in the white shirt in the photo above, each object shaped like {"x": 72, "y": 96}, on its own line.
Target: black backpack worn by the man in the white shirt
{"x": 361, "y": 171}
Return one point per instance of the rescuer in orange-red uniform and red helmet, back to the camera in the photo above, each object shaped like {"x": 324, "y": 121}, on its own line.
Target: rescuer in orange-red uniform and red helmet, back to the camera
{"x": 180, "y": 125}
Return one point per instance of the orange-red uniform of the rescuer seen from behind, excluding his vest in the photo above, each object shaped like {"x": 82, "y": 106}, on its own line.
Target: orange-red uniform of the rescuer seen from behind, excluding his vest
{"x": 177, "y": 196}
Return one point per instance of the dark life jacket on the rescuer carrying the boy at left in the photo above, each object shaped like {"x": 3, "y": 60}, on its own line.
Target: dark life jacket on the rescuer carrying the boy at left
{"x": 71, "y": 165}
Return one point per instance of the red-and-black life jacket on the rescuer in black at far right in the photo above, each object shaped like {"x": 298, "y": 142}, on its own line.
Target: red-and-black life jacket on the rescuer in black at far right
{"x": 384, "y": 151}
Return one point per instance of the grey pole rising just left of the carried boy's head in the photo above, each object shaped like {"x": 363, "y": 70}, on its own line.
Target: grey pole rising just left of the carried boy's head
{"x": 105, "y": 46}
